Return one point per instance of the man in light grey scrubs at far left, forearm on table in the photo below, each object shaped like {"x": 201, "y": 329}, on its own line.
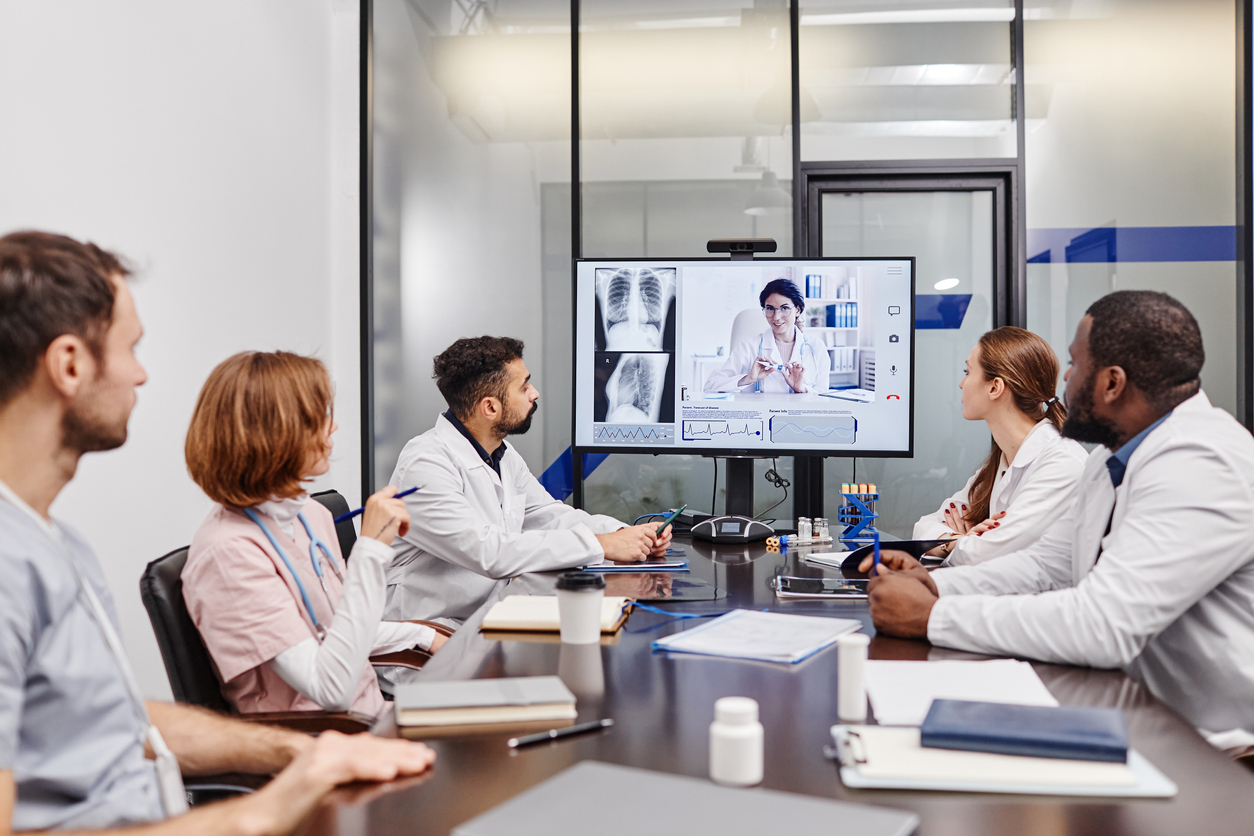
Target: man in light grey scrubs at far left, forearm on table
{"x": 76, "y": 738}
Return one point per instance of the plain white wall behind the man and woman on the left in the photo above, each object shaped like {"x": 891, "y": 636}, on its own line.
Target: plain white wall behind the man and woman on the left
{"x": 215, "y": 145}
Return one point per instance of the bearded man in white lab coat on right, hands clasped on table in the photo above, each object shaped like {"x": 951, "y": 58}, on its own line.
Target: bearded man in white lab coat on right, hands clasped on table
{"x": 1153, "y": 568}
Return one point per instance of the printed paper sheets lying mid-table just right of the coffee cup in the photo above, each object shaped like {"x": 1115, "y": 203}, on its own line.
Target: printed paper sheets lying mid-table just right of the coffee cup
{"x": 767, "y": 637}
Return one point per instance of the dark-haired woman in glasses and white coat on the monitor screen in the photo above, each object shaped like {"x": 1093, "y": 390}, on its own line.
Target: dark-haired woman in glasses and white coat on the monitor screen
{"x": 781, "y": 360}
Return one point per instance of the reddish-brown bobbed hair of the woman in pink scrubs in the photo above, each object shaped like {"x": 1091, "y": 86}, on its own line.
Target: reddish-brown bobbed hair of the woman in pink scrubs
{"x": 259, "y": 421}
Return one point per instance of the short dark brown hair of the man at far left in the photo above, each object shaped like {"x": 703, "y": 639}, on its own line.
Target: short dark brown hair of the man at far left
{"x": 50, "y": 286}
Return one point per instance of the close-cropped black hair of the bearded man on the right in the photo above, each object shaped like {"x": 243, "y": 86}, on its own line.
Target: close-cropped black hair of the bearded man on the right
{"x": 1154, "y": 339}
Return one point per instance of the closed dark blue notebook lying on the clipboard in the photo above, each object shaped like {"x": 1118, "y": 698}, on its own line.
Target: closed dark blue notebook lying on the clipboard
{"x": 1038, "y": 731}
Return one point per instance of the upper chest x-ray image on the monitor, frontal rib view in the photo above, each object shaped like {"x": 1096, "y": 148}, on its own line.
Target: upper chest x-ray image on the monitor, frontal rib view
{"x": 635, "y": 309}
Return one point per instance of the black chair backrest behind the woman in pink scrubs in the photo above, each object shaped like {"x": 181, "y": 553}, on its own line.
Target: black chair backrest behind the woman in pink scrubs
{"x": 187, "y": 661}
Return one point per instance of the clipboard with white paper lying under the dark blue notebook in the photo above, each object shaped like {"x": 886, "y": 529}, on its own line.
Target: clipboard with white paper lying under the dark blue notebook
{"x": 890, "y": 758}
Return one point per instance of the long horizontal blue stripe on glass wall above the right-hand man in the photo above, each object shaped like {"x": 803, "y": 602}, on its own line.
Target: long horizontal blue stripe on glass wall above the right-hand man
{"x": 1112, "y": 245}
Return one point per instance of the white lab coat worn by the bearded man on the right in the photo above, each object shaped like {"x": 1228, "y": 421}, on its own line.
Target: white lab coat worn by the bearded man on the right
{"x": 1171, "y": 601}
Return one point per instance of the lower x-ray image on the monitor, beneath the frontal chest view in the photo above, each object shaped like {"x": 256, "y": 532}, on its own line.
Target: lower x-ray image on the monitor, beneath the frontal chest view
{"x": 634, "y": 389}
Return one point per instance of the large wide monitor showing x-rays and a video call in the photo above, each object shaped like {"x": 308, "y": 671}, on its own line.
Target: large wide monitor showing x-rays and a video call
{"x": 772, "y": 357}
